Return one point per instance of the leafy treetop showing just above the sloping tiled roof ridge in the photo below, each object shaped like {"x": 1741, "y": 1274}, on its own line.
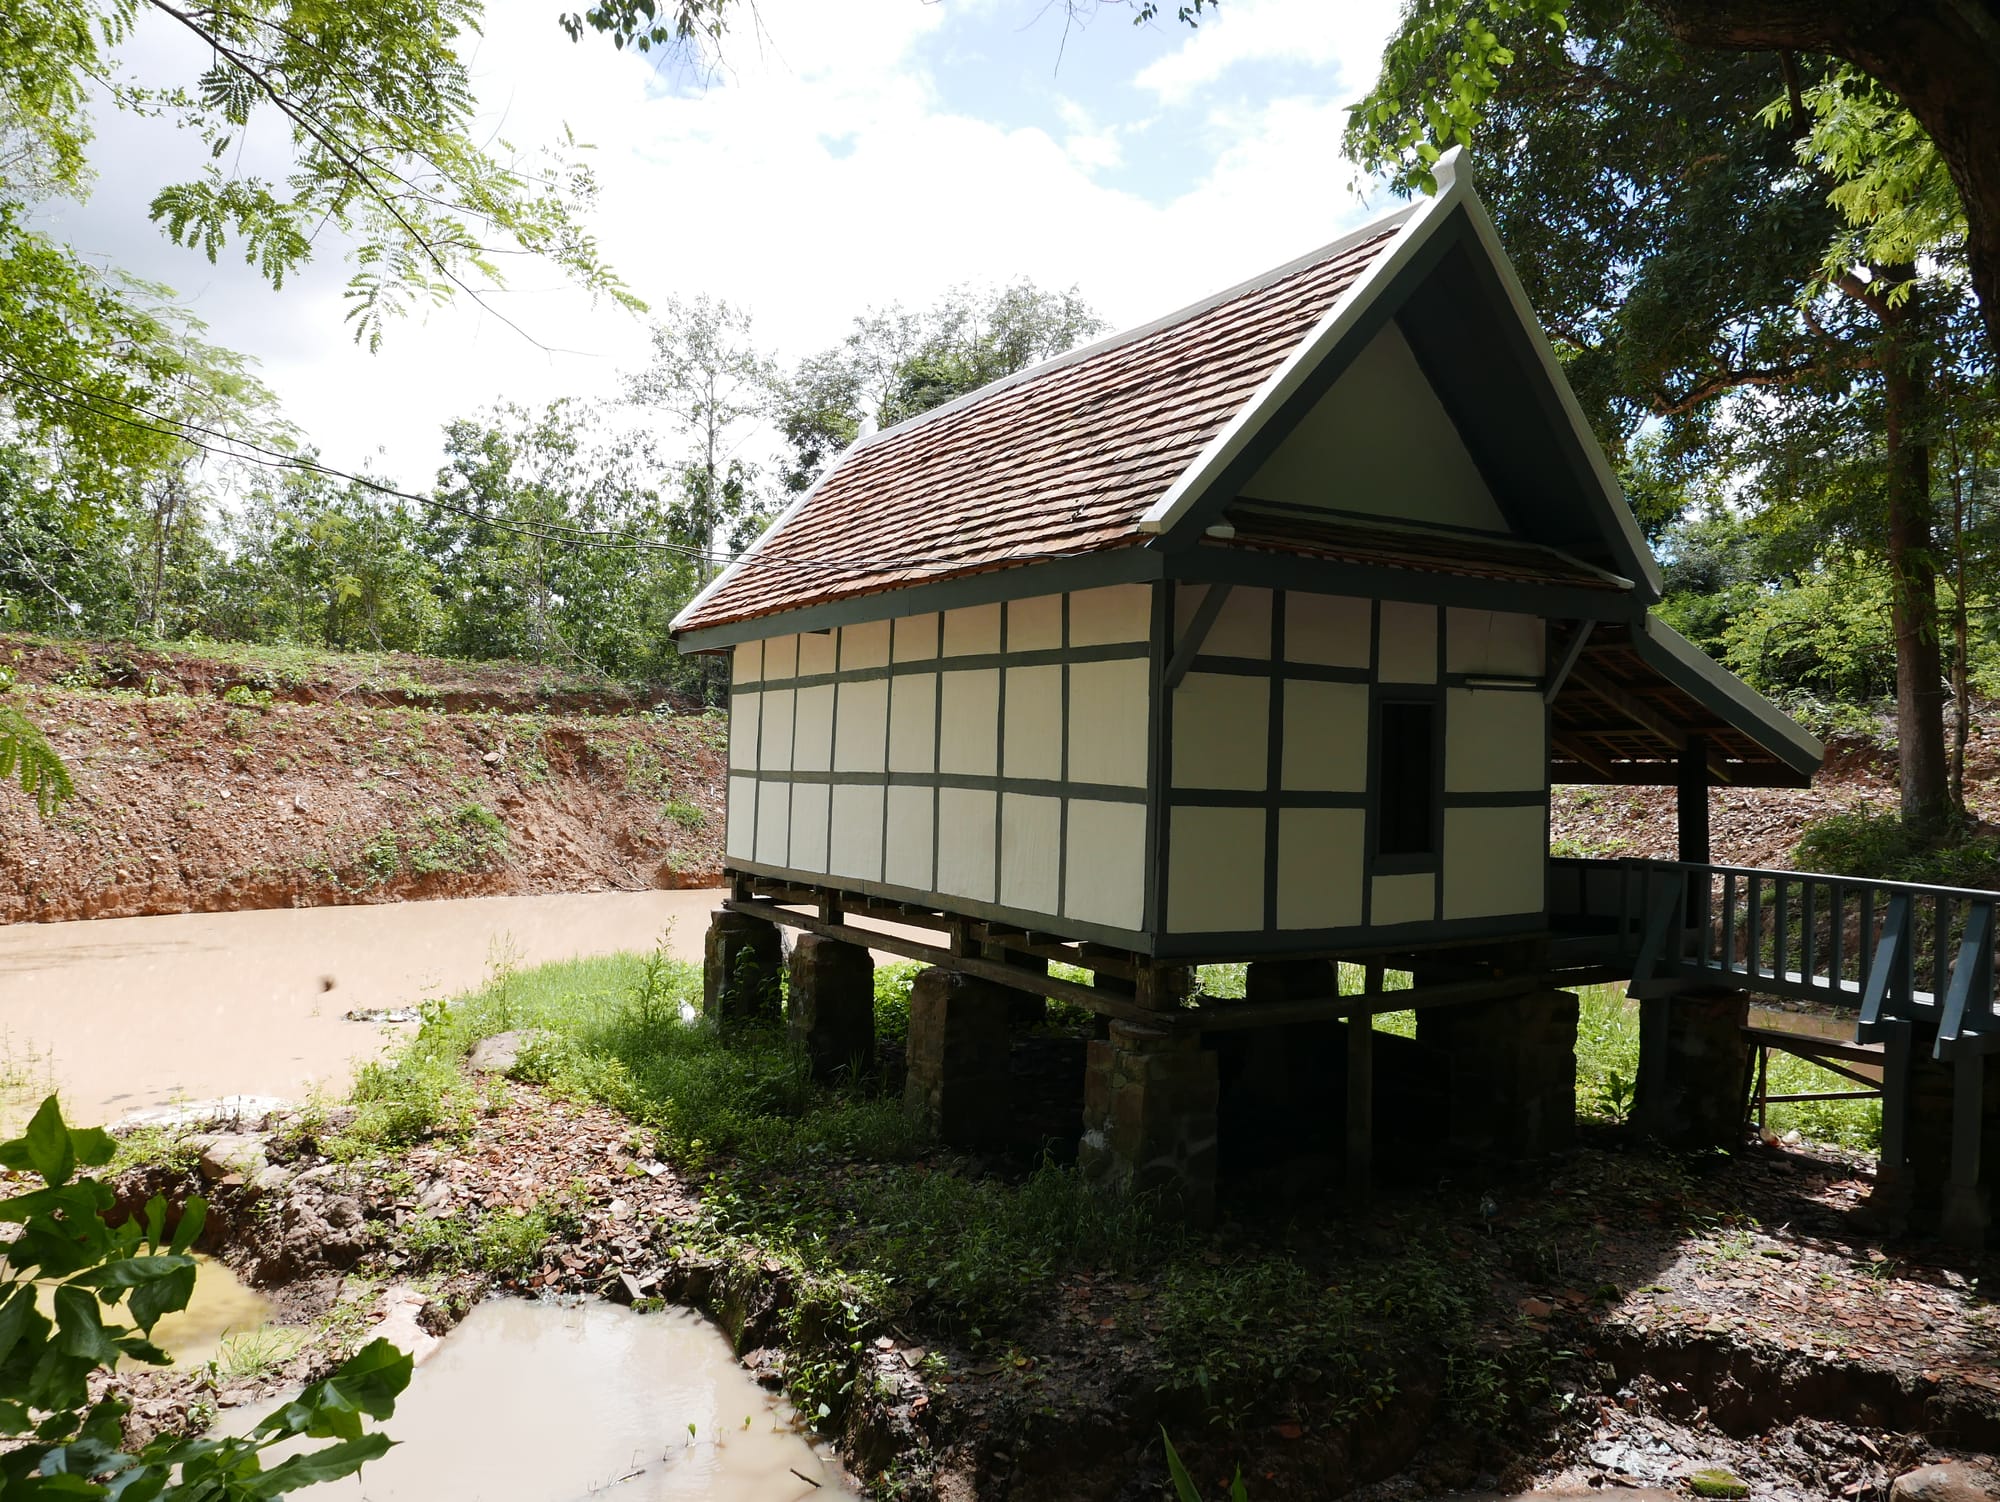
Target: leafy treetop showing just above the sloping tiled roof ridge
{"x": 897, "y": 365}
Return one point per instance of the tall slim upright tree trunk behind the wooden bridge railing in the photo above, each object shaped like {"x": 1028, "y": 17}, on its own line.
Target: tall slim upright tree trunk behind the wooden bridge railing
{"x": 1927, "y": 787}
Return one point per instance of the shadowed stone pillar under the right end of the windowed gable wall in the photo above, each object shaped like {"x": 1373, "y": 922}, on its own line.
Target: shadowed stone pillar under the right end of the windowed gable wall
{"x": 1511, "y": 1071}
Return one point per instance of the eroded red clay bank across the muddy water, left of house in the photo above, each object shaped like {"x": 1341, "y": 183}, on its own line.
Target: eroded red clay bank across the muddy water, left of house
{"x": 189, "y": 803}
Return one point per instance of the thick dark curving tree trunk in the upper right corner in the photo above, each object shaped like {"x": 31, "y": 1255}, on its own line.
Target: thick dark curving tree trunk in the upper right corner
{"x": 1941, "y": 57}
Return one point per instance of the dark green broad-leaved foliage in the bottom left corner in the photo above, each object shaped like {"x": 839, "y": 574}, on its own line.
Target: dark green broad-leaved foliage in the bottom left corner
{"x": 63, "y": 1443}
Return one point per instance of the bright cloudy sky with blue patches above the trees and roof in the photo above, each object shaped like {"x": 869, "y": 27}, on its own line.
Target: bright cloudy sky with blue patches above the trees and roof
{"x": 849, "y": 155}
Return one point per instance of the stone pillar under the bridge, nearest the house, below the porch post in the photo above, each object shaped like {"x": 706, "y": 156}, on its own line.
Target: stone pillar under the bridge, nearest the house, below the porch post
{"x": 1693, "y": 1069}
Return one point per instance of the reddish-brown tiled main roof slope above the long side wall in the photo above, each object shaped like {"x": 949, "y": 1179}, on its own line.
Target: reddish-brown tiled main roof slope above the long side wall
{"x": 1059, "y": 461}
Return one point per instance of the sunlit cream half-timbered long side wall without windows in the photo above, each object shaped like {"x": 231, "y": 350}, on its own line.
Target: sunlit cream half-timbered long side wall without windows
{"x": 995, "y": 757}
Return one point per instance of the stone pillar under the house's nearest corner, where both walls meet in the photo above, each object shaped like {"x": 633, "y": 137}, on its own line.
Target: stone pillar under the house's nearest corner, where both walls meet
{"x": 1151, "y": 1119}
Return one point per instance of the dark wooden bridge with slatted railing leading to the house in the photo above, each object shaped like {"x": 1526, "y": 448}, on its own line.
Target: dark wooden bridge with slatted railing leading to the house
{"x": 1913, "y": 963}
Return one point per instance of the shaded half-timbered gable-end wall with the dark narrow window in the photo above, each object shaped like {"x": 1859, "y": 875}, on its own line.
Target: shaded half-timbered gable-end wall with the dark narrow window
{"x": 1275, "y": 785}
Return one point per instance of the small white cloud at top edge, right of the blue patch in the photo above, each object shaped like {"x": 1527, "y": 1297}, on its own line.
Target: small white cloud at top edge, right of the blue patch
{"x": 1339, "y": 35}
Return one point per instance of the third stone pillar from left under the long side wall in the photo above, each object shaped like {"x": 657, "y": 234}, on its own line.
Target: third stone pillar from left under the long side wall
{"x": 959, "y": 1059}
